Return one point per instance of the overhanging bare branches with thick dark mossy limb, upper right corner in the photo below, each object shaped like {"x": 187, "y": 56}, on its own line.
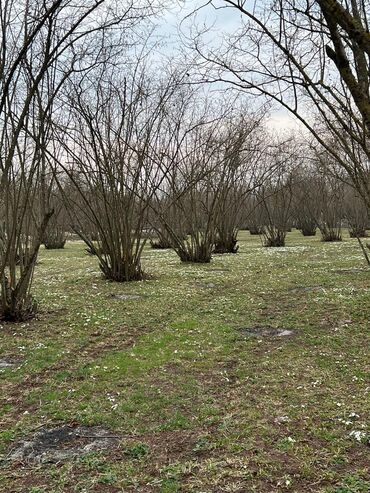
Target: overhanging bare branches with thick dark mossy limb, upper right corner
{"x": 312, "y": 58}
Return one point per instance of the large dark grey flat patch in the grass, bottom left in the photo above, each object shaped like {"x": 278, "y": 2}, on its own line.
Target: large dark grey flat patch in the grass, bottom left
{"x": 59, "y": 444}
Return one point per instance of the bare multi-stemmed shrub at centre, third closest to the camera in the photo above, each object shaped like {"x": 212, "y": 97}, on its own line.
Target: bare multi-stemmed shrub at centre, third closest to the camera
{"x": 192, "y": 159}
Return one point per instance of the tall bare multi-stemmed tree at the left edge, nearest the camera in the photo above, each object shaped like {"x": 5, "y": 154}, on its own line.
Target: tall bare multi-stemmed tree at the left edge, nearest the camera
{"x": 42, "y": 45}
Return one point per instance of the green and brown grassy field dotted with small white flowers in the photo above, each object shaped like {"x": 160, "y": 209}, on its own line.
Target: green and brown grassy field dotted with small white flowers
{"x": 198, "y": 406}
